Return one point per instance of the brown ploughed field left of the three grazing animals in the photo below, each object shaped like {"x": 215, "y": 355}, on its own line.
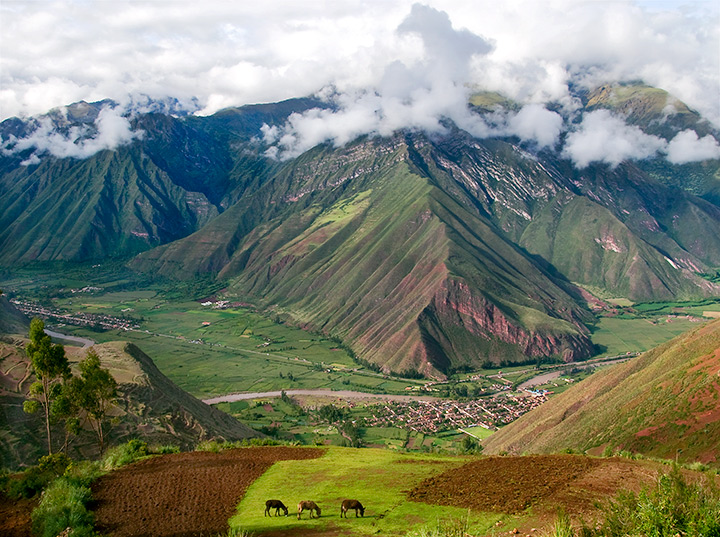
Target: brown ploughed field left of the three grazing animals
{"x": 185, "y": 494}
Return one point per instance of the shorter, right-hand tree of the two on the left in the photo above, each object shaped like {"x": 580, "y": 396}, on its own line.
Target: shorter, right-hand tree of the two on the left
{"x": 95, "y": 391}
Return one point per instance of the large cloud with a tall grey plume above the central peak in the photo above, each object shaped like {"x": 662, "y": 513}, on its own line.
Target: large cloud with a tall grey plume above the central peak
{"x": 410, "y": 95}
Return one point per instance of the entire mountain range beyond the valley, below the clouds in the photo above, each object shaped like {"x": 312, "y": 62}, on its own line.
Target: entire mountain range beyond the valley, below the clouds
{"x": 420, "y": 253}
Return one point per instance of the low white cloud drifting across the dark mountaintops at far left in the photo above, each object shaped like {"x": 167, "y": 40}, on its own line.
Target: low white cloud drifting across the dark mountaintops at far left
{"x": 110, "y": 130}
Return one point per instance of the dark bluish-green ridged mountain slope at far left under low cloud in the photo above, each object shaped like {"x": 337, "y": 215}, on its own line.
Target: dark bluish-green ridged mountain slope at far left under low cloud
{"x": 113, "y": 204}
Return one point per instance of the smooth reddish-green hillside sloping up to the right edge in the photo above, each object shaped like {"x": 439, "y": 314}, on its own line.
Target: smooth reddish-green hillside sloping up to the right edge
{"x": 664, "y": 403}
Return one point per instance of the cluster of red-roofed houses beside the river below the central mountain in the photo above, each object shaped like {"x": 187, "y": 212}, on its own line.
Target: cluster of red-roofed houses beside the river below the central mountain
{"x": 441, "y": 415}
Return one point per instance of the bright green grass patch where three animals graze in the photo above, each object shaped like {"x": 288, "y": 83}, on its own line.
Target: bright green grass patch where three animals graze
{"x": 379, "y": 479}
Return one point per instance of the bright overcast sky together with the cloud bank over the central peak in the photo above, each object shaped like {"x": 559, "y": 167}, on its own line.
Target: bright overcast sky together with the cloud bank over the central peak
{"x": 389, "y": 63}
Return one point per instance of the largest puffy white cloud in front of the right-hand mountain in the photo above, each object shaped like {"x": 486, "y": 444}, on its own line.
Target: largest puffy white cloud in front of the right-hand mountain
{"x": 603, "y": 137}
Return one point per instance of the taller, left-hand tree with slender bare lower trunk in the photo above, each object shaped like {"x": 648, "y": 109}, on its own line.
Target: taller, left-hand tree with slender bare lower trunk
{"x": 51, "y": 368}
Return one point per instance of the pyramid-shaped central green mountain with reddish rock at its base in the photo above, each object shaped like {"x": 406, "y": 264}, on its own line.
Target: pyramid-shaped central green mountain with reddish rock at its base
{"x": 381, "y": 256}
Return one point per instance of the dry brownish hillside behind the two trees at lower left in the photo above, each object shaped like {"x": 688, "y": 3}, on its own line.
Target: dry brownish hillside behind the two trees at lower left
{"x": 149, "y": 407}
